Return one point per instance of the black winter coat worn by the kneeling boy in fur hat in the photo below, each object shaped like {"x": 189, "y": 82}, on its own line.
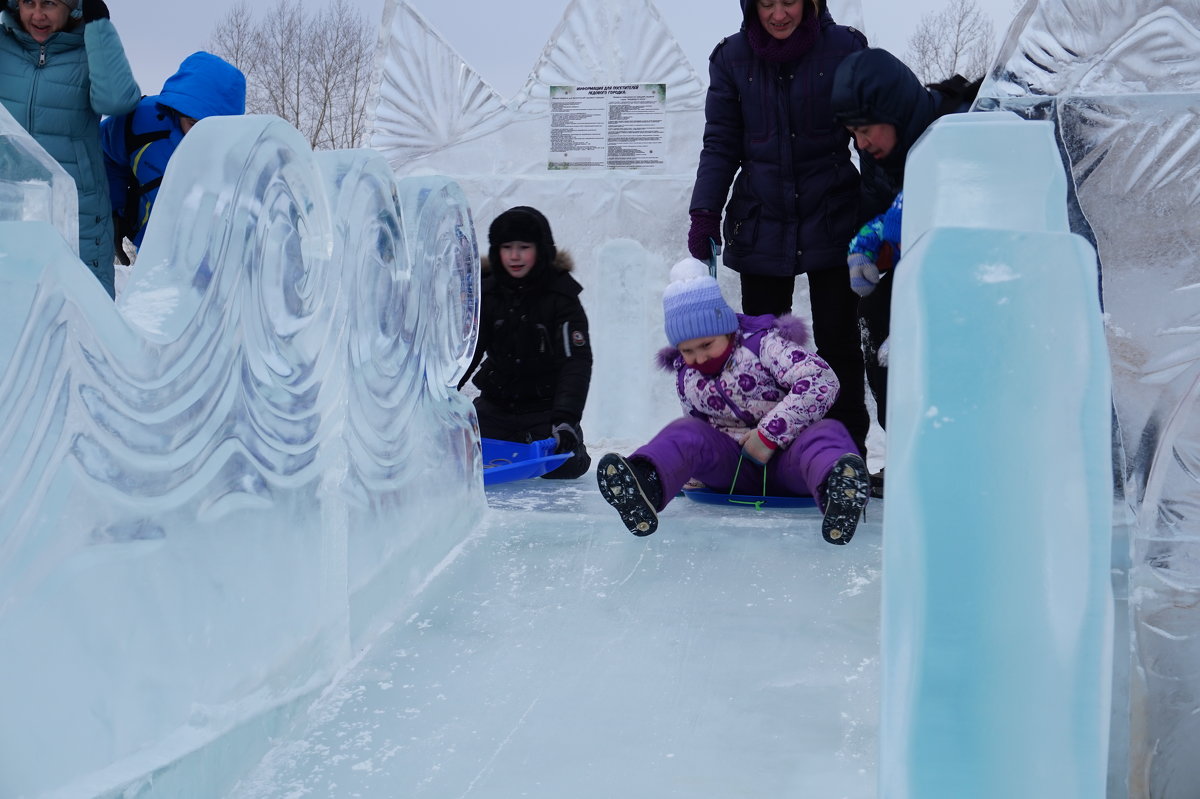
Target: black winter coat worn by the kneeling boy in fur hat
{"x": 533, "y": 343}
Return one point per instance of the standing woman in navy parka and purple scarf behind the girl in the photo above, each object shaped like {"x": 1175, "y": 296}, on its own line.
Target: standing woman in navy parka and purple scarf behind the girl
{"x": 771, "y": 135}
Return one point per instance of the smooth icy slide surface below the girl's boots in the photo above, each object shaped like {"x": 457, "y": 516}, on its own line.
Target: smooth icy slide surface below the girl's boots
{"x": 731, "y": 654}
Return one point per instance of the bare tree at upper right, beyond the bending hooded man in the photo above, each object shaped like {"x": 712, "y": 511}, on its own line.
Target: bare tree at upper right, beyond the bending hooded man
{"x": 957, "y": 40}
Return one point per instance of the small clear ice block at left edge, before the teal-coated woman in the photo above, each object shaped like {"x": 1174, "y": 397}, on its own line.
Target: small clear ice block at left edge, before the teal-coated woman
{"x": 33, "y": 185}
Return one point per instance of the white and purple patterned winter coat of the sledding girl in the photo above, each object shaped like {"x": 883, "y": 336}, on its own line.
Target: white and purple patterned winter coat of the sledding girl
{"x": 771, "y": 382}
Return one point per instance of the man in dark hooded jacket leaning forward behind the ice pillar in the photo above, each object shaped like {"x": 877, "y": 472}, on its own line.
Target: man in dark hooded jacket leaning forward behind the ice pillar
{"x": 886, "y": 109}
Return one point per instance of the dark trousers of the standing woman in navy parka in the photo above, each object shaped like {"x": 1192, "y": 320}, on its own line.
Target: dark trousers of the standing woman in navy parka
{"x": 835, "y": 333}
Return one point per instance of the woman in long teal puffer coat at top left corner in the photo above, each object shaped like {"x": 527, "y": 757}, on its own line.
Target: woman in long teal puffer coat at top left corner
{"x": 62, "y": 69}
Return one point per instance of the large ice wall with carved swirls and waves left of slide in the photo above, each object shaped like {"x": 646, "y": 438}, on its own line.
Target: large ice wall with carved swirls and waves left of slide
{"x": 214, "y": 494}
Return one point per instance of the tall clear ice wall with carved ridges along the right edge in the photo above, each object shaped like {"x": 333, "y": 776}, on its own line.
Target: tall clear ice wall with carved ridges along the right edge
{"x": 1121, "y": 83}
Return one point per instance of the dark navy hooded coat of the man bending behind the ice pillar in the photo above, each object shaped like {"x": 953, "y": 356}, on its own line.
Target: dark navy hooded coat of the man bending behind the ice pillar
{"x": 877, "y": 87}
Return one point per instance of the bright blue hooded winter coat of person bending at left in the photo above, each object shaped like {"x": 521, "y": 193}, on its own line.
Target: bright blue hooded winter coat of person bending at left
{"x": 139, "y": 146}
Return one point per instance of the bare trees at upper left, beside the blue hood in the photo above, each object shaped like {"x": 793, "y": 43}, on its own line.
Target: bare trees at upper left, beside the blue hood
{"x": 313, "y": 71}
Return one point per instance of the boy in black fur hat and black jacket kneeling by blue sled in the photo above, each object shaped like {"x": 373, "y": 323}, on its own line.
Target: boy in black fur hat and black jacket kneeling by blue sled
{"x": 533, "y": 341}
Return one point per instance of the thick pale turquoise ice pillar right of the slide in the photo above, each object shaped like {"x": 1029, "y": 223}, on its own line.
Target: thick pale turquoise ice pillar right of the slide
{"x": 998, "y": 611}
